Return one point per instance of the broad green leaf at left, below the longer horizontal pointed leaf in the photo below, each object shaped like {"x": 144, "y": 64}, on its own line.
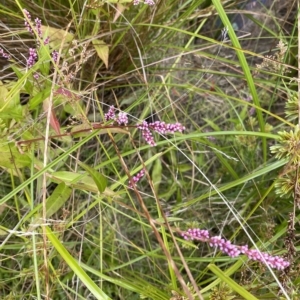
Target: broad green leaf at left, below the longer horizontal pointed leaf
{"x": 58, "y": 198}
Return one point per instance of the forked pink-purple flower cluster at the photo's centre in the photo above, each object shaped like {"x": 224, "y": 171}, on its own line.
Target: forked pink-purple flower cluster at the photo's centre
{"x": 160, "y": 127}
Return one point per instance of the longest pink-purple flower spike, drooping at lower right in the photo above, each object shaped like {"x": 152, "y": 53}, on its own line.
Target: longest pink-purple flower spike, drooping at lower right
{"x": 232, "y": 250}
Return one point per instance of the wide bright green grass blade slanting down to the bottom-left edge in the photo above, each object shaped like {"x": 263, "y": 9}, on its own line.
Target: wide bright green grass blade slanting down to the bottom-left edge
{"x": 73, "y": 264}
